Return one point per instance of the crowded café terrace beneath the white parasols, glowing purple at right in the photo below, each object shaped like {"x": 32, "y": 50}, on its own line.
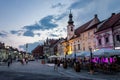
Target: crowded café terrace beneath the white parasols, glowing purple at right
{"x": 98, "y": 65}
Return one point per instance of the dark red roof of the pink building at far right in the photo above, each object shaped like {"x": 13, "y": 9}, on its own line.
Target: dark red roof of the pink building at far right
{"x": 110, "y": 22}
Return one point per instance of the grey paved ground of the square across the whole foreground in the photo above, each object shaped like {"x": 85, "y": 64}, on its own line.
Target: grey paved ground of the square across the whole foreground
{"x": 36, "y": 71}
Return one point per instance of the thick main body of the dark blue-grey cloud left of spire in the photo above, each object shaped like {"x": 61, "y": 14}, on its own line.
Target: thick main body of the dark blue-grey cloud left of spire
{"x": 43, "y": 24}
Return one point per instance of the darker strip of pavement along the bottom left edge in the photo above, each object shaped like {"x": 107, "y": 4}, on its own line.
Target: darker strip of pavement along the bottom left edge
{"x": 32, "y": 76}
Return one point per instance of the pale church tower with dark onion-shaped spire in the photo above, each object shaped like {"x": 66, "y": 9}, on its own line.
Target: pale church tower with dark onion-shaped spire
{"x": 70, "y": 27}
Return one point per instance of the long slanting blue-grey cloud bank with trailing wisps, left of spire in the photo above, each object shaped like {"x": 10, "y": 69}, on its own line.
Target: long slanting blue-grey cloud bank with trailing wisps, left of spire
{"x": 46, "y": 23}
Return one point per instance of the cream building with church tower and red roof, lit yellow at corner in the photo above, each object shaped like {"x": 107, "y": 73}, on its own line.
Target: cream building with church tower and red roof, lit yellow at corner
{"x": 82, "y": 38}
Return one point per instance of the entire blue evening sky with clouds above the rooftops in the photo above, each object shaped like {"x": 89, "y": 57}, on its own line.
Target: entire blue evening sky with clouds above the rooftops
{"x": 32, "y": 21}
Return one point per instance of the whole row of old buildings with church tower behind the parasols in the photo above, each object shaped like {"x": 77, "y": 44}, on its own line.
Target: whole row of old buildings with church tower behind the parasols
{"x": 94, "y": 34}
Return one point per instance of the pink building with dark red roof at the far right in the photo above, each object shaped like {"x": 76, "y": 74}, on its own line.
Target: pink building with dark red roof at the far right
{"x": 108, "y": 33}
